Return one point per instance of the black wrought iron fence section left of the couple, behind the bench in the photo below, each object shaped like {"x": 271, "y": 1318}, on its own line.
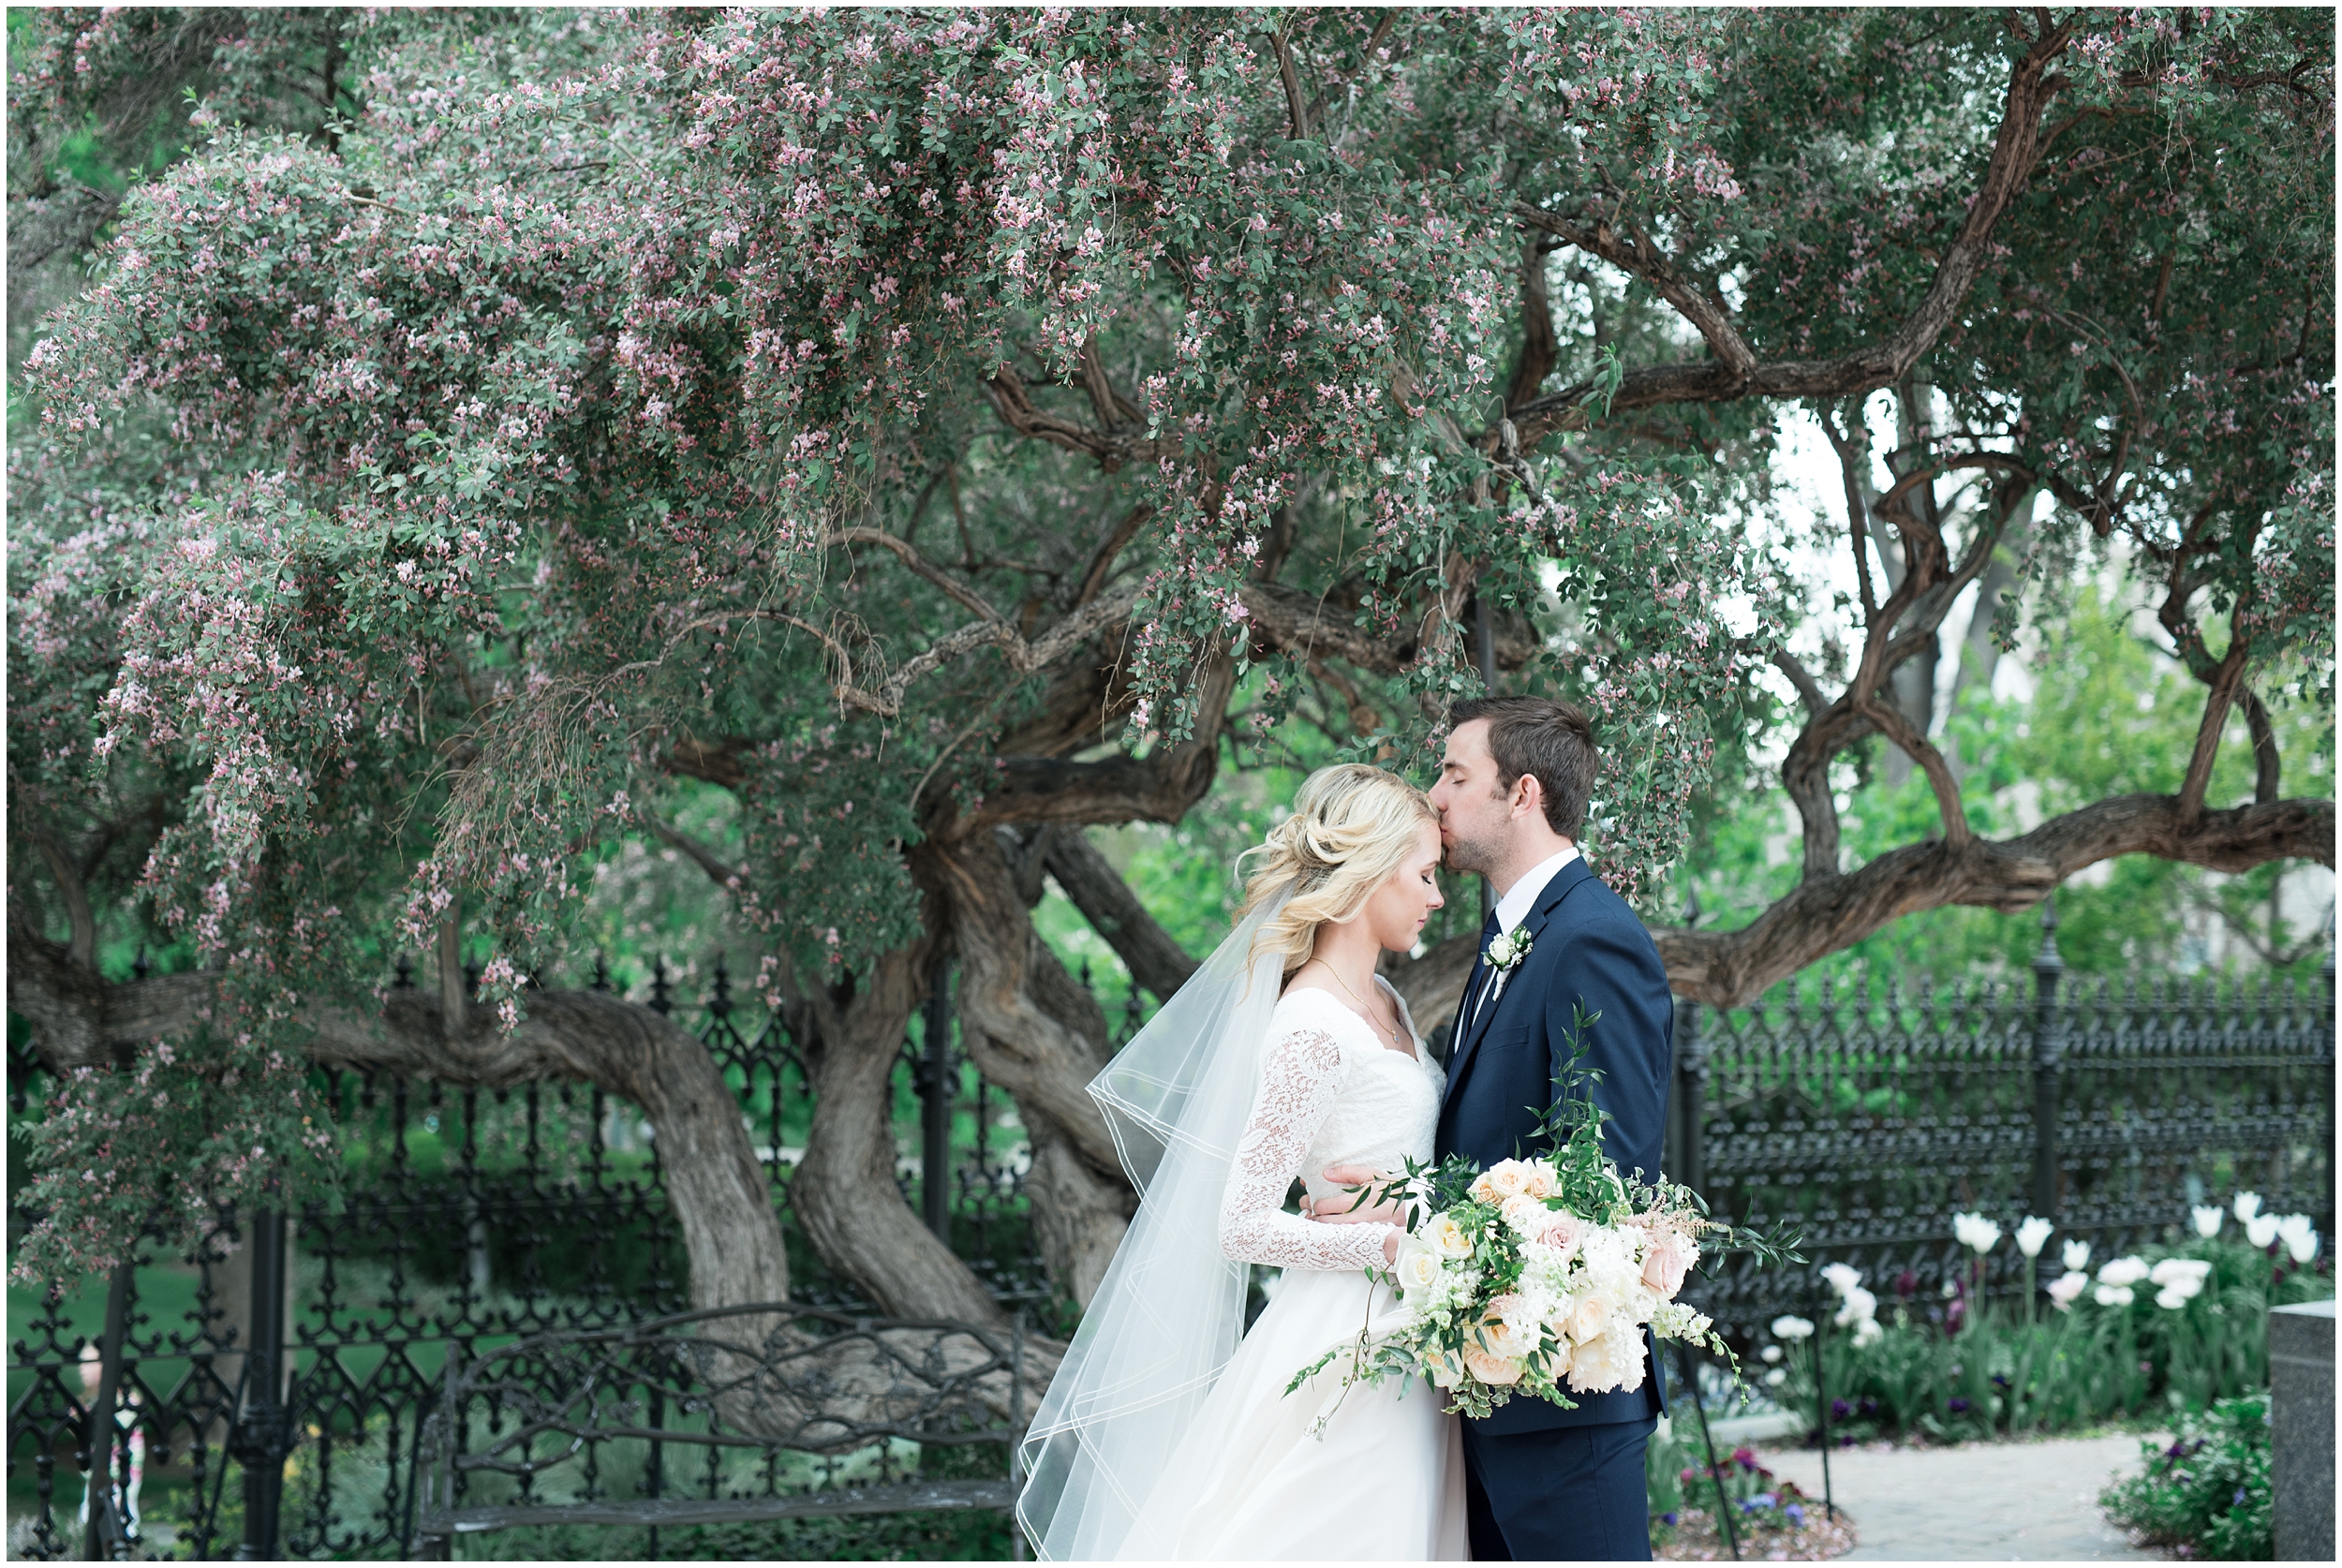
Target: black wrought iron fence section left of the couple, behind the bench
{"x": 470, "y": 1220}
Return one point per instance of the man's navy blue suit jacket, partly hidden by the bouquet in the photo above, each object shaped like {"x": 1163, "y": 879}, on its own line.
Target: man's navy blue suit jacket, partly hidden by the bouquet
{"x": 1587, "y": 954}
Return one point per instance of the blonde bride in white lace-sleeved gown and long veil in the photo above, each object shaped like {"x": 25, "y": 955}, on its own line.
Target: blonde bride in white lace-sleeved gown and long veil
{"x": 1167, "y": 1431}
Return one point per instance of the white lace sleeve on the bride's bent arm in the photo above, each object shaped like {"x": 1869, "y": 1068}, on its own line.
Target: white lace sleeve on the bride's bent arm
{"x": 1296, "y": 1092}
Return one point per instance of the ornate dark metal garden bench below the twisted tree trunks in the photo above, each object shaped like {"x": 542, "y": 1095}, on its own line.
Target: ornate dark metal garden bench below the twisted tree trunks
{"x": 748, "y": 1412}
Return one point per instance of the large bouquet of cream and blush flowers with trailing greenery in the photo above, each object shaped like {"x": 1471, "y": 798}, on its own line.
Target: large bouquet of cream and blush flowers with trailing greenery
{"x": 1538, "y": 1277}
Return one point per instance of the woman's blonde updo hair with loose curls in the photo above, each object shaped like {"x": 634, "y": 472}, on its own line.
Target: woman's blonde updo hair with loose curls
{"x": 1353, "y": 827}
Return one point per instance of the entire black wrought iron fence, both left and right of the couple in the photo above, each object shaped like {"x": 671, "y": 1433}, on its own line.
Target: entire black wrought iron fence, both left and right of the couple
{"x": 481, "y": 1218}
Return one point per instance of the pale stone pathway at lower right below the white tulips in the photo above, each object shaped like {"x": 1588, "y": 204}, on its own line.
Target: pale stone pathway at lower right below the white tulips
{"x": 1975, "y": 1504}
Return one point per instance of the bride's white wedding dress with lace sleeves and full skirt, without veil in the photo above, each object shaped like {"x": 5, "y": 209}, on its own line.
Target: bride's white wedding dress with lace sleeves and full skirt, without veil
{"x": 1249, "y": 1480}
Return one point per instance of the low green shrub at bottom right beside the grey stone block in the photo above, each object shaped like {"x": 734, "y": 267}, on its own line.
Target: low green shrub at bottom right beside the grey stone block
{"x": 2210, "y": 1492}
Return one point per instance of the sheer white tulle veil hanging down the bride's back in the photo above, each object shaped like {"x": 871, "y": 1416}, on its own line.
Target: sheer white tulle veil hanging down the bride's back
{"x": 1170, "y": 1312}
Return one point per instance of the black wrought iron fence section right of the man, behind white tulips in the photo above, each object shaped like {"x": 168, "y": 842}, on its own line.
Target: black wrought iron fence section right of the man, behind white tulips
{"x": 1868, "y": 1120}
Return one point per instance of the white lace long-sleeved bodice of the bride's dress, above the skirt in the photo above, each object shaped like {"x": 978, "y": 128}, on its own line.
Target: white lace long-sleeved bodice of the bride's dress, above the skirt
{"x": 1329, "y": 1096}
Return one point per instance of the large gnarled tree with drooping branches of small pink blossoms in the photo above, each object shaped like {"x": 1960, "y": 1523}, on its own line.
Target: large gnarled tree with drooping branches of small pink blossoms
{"x": 945, "y": 432}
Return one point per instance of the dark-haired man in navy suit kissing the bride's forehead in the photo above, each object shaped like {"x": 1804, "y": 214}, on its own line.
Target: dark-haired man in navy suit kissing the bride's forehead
{"x": 1545, "y": 1483}
